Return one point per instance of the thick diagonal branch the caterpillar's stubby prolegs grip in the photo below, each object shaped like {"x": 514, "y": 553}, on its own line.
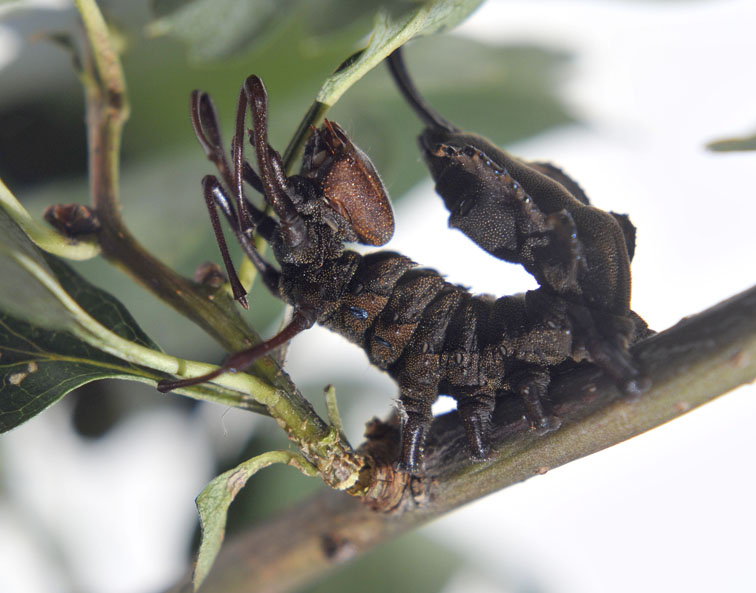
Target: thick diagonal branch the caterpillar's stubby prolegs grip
{"x": 693, "y": 362}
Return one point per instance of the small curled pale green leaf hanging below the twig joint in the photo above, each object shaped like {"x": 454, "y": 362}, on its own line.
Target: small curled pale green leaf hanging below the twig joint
{"x": 214, "y": 500}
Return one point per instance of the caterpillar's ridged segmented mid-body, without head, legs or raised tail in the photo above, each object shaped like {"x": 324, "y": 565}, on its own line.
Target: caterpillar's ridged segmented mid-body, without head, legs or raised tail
{"x": 427, "y": 332}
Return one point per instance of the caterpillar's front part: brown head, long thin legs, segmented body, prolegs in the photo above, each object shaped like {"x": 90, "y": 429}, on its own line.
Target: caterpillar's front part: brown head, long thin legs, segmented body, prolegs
{"x": 431, "y": 336}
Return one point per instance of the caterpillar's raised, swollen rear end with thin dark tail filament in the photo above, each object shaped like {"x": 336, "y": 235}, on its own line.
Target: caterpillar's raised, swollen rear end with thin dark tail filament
{"x": 536, "y": 215}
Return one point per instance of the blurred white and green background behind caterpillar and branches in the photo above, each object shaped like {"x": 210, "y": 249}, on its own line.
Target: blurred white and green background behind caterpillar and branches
{"x": 97, "y": 493}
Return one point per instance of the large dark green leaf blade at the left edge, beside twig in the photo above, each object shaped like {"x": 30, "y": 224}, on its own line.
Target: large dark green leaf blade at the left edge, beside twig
{"x": 41, "y": 358}
